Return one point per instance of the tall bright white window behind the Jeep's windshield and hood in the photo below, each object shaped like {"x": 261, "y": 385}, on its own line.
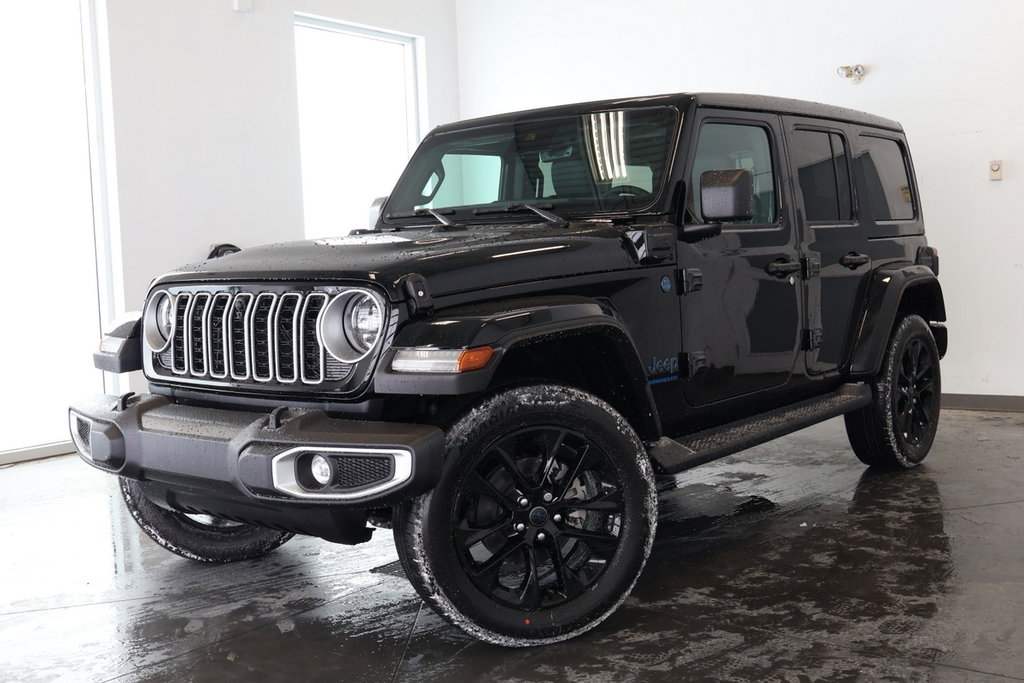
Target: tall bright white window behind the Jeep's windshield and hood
{"x": 360, "y": 102}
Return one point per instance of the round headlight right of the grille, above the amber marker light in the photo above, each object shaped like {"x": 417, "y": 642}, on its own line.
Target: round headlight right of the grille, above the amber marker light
{"x": 352, "y": 325}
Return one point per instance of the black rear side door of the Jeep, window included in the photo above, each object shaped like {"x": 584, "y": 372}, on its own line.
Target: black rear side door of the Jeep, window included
{"x": 834, "y": 250}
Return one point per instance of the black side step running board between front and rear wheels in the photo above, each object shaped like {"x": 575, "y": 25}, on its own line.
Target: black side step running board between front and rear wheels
{"x": 673, "y": 456}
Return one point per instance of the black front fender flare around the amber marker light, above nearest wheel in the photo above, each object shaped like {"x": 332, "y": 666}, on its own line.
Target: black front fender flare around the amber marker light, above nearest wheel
{"x": 506, "y": 326}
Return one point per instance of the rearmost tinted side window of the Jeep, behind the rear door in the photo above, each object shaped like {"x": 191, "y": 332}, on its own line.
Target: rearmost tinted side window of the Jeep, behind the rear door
{"x": 886, "y": 181}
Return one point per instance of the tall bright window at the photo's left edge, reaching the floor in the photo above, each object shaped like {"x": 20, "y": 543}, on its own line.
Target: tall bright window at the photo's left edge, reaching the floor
{"x": 49, "y": 279}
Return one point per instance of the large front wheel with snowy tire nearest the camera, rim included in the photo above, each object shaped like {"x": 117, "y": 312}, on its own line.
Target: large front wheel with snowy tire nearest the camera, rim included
{"x": 541, "y": 524}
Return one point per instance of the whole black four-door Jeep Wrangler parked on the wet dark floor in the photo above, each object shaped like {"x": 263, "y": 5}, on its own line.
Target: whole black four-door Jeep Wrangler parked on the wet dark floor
{"x": 551, "y": 308}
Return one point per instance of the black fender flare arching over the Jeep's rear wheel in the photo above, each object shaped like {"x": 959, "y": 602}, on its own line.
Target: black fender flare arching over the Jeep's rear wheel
{"x": 888, "y": 289}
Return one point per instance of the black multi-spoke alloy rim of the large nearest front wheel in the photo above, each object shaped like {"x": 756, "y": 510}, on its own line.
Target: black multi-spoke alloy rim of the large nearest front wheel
{"x": 537, "y": 518}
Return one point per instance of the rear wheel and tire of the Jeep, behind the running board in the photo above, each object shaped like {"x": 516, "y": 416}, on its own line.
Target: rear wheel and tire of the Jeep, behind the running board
{"x": 907, "y": 392}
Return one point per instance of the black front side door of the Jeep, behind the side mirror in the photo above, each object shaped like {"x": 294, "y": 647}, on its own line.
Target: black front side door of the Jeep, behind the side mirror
{"x": 742, "y": 311}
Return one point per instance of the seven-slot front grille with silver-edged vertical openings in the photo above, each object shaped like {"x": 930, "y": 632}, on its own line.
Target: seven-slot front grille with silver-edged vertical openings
{"x": 246, "y": 337}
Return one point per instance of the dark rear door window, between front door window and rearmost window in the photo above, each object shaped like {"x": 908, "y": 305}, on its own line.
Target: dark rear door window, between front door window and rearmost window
{"x": 824, "y": 175}
